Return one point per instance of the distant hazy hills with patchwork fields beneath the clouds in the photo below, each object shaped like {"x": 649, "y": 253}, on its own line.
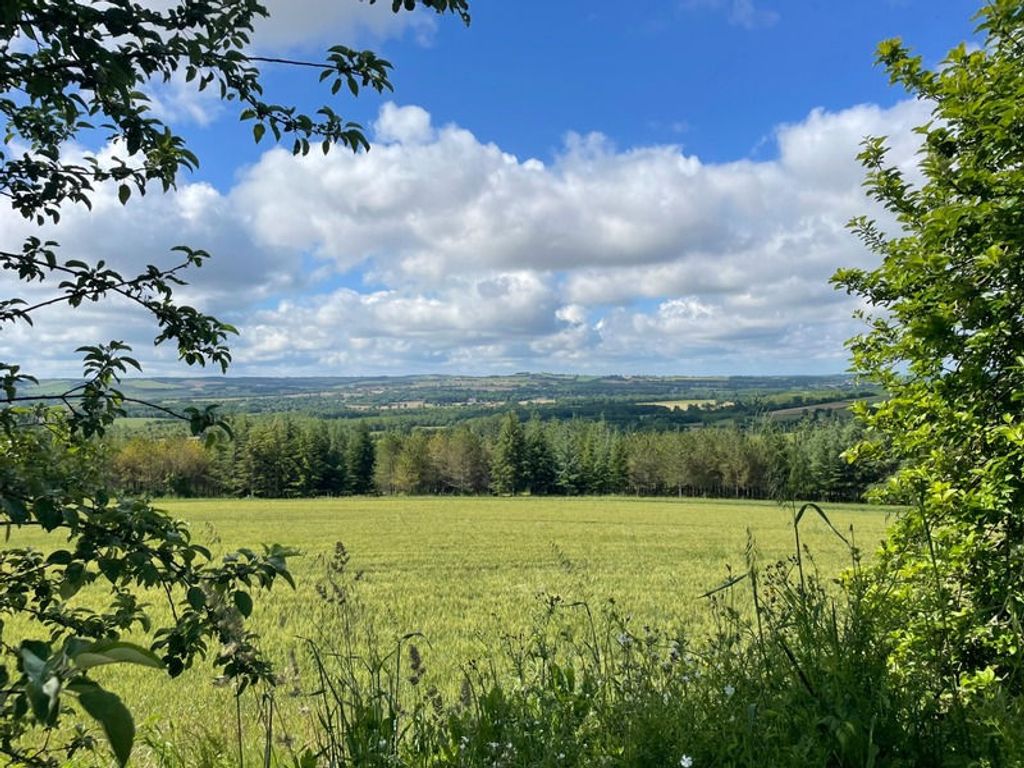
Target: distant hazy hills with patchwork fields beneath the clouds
{"x": 436, "y": 400}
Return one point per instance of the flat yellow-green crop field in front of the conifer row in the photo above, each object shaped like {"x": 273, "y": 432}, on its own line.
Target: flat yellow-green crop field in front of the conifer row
{"x": 464, "y": 571}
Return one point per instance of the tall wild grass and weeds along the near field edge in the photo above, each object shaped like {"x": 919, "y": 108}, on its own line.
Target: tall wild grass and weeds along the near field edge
{"x": 796, "y": 672}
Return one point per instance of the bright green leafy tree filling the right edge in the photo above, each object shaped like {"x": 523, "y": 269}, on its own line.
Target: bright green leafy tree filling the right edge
{"x": 947, "y": 340}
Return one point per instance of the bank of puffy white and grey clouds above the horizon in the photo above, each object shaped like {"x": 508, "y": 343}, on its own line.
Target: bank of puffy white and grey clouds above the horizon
{"x": 438, "y": 251}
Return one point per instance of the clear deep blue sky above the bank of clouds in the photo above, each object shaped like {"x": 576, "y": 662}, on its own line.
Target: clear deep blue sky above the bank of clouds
{"x": 714, "y": 76}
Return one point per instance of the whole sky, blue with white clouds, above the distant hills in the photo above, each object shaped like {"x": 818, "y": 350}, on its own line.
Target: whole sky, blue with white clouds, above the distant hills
{"x": 660, "y": 187}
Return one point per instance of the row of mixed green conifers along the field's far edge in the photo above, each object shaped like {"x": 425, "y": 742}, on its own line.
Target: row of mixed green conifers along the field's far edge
{"x": 283, "y": 457}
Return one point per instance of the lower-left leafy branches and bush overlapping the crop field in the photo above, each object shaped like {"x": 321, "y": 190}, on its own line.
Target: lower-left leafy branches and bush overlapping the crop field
{"x": 49, "y": 482}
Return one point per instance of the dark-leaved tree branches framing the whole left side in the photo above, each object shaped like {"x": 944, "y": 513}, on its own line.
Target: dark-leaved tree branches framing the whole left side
{"x": 68, "y": 71}
